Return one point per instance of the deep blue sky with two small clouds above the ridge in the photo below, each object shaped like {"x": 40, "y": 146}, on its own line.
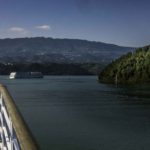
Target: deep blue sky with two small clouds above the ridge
{"x": 121, "y": 22}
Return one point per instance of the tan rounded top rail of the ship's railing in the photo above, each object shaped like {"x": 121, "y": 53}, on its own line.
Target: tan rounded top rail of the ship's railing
{"x": 23, "y": 134}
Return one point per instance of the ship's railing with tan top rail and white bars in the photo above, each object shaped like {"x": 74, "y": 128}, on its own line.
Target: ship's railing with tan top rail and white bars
{"x": 14, "y": 133}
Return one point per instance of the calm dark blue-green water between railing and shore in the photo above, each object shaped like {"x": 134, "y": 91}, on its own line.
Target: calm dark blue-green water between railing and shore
{"x": 78, "y": 113}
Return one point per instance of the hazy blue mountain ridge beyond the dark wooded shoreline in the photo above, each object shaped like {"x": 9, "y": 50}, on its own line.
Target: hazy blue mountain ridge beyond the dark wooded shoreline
{"x": 42, "y": 50}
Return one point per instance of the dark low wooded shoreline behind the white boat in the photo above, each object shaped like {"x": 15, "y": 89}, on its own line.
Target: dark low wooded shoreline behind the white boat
{"x": 51, "y": 68}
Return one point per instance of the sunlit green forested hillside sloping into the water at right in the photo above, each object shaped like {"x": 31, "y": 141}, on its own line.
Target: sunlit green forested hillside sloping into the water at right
{"x": 130, "y": 68}
